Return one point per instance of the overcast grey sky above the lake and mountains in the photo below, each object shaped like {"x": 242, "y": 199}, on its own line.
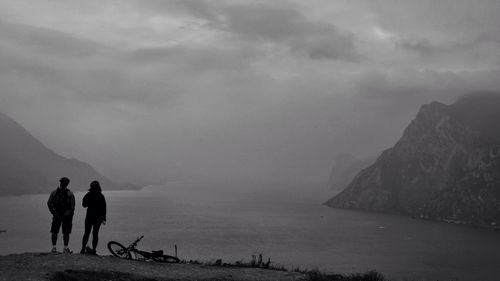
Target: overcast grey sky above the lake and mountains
{"x": 252, "y": 90}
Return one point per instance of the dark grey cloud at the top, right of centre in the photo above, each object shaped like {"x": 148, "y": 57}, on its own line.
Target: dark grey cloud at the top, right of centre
{"x": 285, "y": 25}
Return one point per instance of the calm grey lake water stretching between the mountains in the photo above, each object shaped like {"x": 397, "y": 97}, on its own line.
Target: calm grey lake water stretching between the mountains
{"x": 294, "y": 229}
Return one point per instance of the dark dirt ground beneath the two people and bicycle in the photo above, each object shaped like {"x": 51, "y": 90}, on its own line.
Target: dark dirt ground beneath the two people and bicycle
{"x": 76, "y": 267}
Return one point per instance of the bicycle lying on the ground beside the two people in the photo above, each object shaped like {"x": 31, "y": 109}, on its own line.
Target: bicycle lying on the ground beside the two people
{"x": 131, "y": 253}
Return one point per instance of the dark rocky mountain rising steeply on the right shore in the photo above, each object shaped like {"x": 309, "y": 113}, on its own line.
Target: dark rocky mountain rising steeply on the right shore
{"x": 446, "y": 166}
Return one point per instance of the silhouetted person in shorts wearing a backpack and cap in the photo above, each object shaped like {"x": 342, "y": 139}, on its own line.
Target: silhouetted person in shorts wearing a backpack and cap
{"x": 62, "y": 207}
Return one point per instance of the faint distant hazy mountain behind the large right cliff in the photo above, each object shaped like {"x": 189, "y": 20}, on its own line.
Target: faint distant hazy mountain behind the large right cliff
{"x": 344, "y": 169}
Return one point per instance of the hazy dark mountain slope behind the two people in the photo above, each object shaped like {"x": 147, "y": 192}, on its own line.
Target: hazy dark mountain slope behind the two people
{"x": 27, "y": 166}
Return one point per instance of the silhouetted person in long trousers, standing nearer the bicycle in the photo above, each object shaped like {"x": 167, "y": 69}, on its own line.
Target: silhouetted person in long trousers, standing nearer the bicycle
{"x": 95, "y": 203}
